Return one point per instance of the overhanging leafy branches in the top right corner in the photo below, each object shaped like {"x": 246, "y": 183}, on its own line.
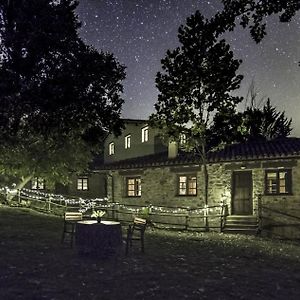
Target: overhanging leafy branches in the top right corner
{"x": 252, "y": 13}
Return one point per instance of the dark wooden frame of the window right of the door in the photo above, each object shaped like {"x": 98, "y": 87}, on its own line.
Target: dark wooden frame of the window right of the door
{"x": 287, "y": 182}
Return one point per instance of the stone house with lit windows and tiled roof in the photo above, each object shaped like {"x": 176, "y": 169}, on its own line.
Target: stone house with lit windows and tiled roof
{"x": 257, "y": 181}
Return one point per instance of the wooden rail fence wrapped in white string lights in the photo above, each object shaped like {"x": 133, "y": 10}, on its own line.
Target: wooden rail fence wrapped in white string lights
{"x": 201, "y": 218}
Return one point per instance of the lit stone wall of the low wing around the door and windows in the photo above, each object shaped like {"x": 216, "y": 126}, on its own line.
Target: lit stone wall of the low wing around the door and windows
{"x": 159, "y": 188}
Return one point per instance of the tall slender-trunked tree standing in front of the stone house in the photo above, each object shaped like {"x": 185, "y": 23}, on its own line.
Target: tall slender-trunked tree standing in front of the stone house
{"x": 196, "y": 82}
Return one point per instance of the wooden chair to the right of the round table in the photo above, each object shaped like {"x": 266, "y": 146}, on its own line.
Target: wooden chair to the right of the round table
{"x": 136, "y": 232}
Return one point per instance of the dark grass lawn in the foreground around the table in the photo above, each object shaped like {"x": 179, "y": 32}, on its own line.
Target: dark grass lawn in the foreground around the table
{"x": 35, "y": 265}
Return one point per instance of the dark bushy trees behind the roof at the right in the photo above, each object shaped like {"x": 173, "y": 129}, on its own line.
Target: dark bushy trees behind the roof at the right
{"x": 257, "y": 122}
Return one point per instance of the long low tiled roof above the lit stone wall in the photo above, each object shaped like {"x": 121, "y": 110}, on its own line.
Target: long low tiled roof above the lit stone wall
{"x": 288, "y": 147}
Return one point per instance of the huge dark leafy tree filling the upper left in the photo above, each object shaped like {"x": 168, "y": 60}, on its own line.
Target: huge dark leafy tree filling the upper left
{"x": 59, "y": 98}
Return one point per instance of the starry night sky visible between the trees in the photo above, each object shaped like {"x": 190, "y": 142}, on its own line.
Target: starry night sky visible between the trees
{"x": 139, "y": 32}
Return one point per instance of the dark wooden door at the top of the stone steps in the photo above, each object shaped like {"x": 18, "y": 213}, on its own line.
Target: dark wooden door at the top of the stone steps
{"x": 242, "y": 193}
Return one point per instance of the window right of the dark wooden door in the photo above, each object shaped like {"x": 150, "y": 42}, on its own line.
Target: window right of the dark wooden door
{"x": 278, "y": 182}
